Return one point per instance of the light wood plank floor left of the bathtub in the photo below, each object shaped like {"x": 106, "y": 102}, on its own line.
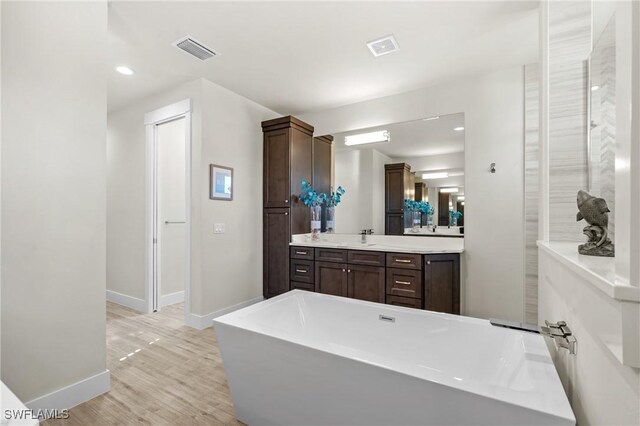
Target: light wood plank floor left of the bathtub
{"x": 162, "y": 373}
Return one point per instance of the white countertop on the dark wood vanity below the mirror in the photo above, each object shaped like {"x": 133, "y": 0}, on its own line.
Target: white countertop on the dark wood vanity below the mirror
{"x": 387, "y": 243}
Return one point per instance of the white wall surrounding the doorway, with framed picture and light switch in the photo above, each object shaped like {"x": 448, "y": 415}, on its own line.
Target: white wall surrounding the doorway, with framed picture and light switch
{"x": 226, "y": 269}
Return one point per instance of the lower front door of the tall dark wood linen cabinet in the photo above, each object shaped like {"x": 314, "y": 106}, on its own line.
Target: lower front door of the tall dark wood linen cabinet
{"x": 275, "y": 268}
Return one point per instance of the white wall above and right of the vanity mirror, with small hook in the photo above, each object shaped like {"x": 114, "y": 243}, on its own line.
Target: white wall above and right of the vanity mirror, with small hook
{"x": 493, "y": 276}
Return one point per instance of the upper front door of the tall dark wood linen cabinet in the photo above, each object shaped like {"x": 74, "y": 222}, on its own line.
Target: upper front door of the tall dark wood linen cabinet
{"x": 277, "y": 188}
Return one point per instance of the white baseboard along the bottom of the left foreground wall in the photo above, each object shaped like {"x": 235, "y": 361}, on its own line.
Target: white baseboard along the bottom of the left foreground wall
{"x": 74, "y": 394}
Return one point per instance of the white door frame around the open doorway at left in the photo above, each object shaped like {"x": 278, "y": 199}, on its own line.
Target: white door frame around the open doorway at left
{"x": 152, "y": 120}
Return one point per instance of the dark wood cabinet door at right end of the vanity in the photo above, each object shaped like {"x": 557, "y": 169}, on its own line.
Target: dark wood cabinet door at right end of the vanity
{"x": 442, "y": 283}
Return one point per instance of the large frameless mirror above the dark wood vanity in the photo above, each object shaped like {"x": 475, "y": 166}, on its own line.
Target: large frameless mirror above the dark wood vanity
{"x": 391, "y": 172}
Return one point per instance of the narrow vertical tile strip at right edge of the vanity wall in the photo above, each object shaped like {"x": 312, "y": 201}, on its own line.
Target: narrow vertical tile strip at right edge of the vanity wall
{"x": 531, "y": 190}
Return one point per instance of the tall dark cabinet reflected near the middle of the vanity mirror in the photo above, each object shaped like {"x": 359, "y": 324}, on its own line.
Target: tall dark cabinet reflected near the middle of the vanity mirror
{"x": 398, "y": 186}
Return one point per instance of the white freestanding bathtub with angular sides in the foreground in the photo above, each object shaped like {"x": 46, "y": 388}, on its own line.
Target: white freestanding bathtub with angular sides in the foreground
{"x": 310, "y": 359}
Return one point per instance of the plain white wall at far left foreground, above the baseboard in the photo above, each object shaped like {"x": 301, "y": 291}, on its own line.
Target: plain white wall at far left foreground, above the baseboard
{"x": 53, "y": 195}
